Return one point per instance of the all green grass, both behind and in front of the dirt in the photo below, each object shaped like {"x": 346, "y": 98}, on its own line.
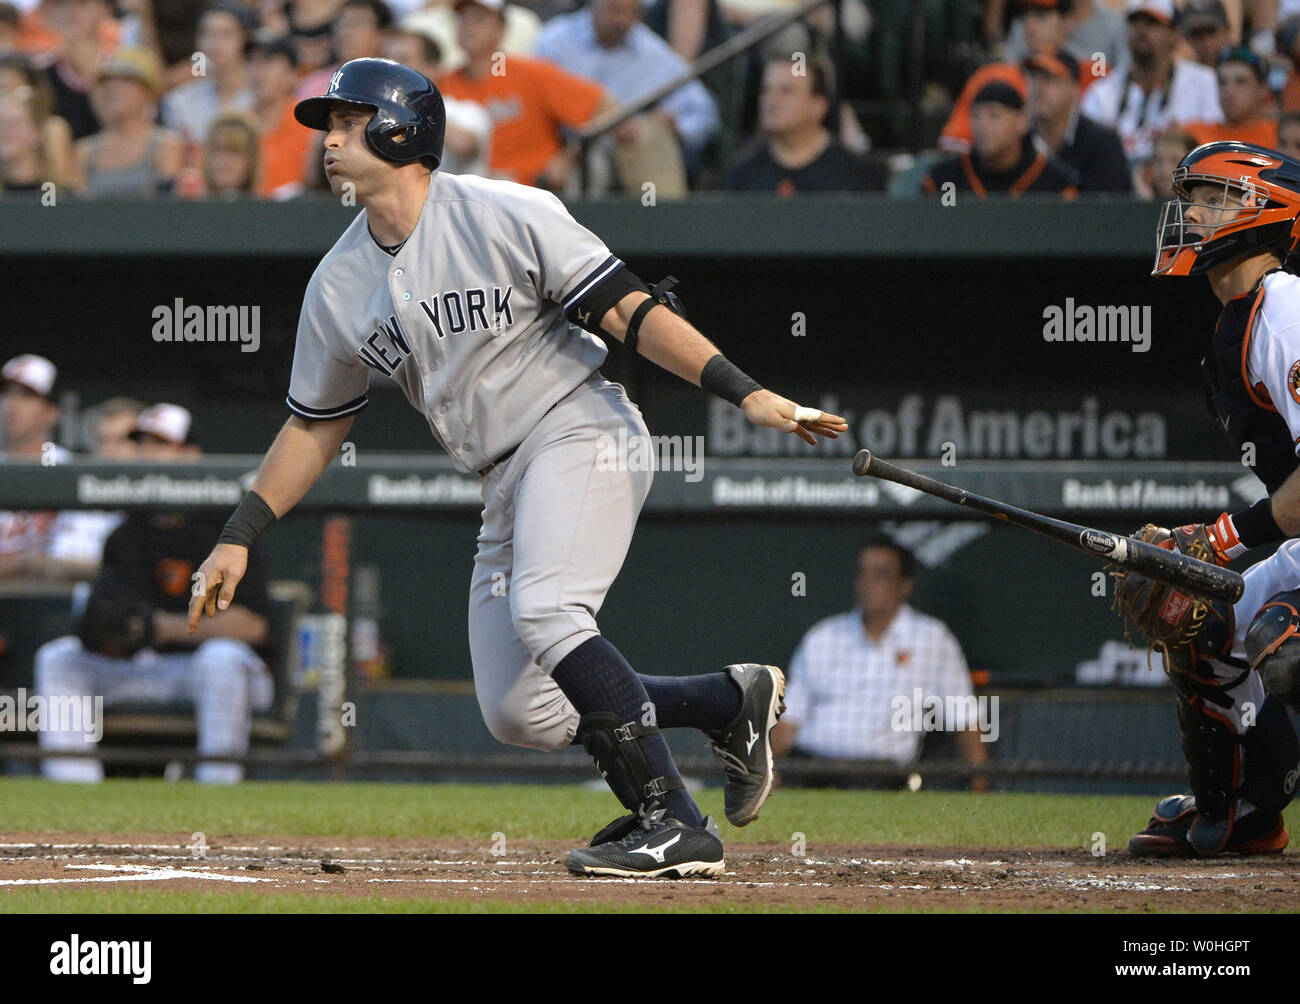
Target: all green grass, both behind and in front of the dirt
{"x": 465, "y": 812}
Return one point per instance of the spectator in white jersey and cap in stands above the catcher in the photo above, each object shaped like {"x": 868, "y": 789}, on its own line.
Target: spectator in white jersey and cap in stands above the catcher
{"x": 1154, "y": 90}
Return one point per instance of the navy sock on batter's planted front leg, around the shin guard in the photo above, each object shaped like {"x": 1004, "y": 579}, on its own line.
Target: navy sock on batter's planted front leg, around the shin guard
{"x": 596, "y": 678}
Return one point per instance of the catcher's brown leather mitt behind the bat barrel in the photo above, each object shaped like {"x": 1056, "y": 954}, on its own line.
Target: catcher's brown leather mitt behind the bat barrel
{"x": 1168, "y": 618}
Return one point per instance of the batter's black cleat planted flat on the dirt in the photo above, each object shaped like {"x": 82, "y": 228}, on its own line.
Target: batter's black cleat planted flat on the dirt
{"x": 660, "y": 847}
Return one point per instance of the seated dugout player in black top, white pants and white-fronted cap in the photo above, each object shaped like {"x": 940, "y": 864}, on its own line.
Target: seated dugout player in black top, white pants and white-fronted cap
{"x": 132, "y": 643}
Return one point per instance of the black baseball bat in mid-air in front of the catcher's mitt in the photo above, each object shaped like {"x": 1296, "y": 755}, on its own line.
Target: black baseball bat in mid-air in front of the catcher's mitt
{"x": 1168, "y": 566}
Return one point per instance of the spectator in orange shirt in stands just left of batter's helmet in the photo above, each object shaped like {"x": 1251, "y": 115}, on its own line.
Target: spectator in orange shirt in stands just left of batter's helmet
{"x": 285, "y": 145}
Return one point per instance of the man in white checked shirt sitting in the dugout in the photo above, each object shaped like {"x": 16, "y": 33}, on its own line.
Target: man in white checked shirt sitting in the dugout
{"x": 857, "y": 678}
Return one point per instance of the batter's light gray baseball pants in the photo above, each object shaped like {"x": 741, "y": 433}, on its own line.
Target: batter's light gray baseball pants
{"x": 558, "y": 521}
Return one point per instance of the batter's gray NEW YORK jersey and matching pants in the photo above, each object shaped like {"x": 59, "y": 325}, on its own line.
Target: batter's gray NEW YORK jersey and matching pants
{"x": 469, "y": 319}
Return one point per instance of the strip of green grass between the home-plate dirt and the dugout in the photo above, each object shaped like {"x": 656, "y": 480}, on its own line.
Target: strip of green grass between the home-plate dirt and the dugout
{"x": 437, "y": 812}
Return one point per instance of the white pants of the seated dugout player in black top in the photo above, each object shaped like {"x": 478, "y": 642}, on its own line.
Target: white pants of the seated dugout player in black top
{"x": 224, "y": 680}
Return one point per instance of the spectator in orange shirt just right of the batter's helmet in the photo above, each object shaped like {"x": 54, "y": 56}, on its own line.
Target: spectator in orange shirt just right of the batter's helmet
{"x": 530, "y": 101}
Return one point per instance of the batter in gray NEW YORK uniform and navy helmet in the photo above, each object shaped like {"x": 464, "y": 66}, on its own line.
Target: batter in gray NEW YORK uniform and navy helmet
{"x": 484, "y": 301}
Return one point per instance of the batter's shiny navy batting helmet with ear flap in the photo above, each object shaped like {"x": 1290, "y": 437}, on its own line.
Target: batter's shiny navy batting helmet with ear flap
{"x": 410, "y": 120}
